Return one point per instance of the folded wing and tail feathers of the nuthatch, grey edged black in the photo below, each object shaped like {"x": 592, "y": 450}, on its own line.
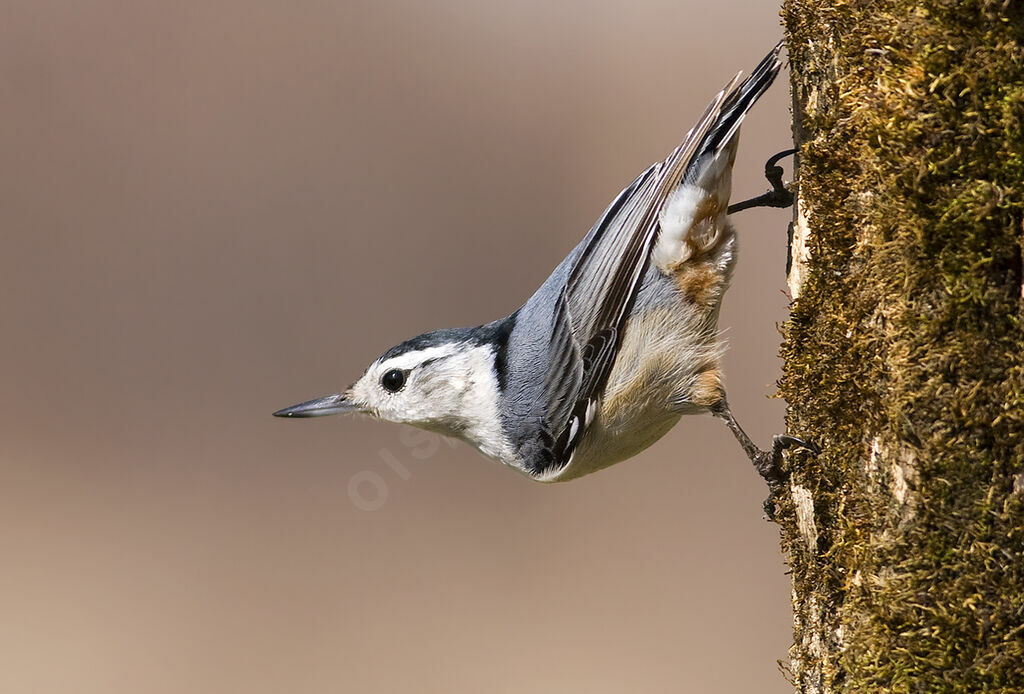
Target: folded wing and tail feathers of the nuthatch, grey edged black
{"x": 604, "y": 284}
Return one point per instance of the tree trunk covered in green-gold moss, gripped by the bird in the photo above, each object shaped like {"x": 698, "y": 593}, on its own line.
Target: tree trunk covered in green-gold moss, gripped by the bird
{"x": 905, "y": 354}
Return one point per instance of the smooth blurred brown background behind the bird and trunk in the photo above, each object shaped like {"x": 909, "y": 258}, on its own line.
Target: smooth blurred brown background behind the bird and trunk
{"x": 212, "y": 210}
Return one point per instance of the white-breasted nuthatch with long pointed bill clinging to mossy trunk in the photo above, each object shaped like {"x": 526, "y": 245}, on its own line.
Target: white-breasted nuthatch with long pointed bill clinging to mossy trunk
{"x": 616, "y": 346}
